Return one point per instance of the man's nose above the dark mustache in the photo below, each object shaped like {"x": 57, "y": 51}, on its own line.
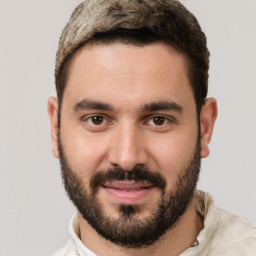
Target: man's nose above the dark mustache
{"x": 127, "y": 148}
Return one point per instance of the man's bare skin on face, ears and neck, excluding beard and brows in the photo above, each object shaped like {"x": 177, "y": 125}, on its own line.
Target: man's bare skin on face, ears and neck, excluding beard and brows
{"x": 128, "y": 78}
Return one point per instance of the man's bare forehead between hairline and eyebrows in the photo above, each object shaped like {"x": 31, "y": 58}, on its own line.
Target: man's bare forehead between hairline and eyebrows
{"x": 152, "y": 72}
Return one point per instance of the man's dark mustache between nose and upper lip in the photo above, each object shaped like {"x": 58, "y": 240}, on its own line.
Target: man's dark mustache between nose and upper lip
{"x": 118, "y": 174}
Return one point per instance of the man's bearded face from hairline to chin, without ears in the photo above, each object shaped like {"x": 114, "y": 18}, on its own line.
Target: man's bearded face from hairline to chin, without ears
{"x": 128, "y": 140}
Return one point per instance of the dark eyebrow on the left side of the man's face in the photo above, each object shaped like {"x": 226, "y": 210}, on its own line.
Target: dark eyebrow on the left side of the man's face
{"x": 87, "y": 104}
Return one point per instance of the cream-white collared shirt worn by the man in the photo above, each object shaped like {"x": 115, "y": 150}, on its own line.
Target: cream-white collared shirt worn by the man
{"x": 224, "y": 234}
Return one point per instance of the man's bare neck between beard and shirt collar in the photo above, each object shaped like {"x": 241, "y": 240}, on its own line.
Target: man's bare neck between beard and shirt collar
{"x": 172, "y": 243}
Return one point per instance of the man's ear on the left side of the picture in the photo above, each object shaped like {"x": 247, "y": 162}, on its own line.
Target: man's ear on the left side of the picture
{"x": 52, "y": 109}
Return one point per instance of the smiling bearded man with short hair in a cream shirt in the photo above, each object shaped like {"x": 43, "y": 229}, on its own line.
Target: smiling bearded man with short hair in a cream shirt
{"x": 130, "y": 125}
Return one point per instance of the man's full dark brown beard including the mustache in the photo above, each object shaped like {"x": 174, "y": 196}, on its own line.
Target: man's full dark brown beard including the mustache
{"x": 128, "y": 230}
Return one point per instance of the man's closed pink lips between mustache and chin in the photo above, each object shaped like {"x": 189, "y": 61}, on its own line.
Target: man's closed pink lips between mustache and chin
{"x": 128, "y": 192}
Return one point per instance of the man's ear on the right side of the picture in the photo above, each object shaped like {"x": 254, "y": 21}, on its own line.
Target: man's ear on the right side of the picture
{"x": 208, "y": 116}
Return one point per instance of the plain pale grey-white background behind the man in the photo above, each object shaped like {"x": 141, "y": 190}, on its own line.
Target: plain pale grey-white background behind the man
{"x": 34, "y": 210}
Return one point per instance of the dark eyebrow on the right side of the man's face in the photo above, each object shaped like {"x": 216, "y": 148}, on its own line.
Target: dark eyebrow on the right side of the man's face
{"x": 162, "y": 105}
